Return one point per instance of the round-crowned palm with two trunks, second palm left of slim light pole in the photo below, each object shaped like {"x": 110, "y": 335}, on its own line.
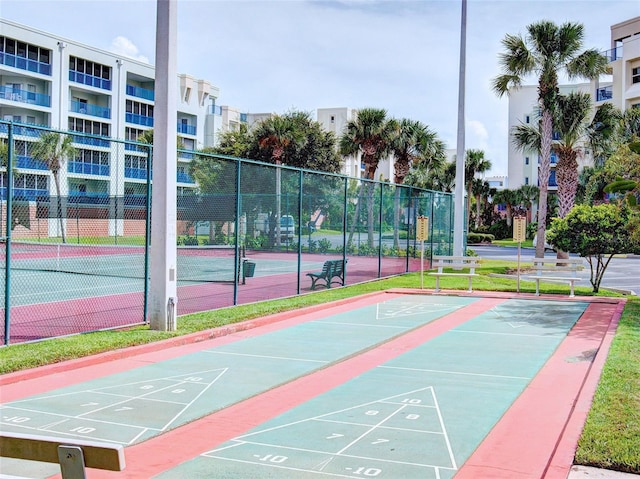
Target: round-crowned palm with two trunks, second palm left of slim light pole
{"x": 370, "y": 134}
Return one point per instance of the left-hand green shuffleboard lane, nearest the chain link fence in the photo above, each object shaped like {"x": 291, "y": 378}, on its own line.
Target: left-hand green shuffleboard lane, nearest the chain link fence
{"x": 135, "y": 405}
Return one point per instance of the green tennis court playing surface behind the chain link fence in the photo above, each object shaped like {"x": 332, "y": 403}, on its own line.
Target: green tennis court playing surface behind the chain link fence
{"x": 45, "y": 272}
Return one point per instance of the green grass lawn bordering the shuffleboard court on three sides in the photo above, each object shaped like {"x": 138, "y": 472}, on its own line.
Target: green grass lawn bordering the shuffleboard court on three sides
{"x": 611, "y": 438}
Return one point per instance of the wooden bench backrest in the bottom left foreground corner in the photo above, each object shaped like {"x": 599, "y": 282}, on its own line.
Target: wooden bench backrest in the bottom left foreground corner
{"x": 72, "y": 455}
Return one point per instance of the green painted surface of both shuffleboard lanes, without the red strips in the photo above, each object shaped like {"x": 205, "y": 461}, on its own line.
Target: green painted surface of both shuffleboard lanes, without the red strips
{"x": 420, "y": 414}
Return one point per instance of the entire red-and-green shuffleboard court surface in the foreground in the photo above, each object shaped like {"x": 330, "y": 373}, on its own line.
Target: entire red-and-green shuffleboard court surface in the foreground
{"x": 528, "y": 365}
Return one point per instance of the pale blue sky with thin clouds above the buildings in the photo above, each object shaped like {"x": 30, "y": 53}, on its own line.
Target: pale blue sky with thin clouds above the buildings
{"x": 275, "y": 56}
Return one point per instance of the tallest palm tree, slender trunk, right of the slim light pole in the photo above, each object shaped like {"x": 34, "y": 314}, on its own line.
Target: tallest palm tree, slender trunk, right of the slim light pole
{"x": 547, "y": 50}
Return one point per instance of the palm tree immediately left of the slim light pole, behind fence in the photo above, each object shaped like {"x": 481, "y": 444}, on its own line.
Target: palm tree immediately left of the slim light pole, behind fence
{"x": 414, "y": 143}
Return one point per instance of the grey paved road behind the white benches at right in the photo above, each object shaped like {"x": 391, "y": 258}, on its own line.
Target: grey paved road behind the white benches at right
{"x": 621, "y": 274}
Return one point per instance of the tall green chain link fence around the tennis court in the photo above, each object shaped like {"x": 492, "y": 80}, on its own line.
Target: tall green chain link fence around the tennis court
{"x": 75, "y": 257}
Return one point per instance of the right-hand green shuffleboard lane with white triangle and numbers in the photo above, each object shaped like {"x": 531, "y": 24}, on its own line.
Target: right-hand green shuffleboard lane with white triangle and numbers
{"x": 419, "y": 415}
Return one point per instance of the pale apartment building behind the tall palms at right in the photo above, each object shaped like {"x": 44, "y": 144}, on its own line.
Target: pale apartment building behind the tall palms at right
{"x": 621, "y": 87}
